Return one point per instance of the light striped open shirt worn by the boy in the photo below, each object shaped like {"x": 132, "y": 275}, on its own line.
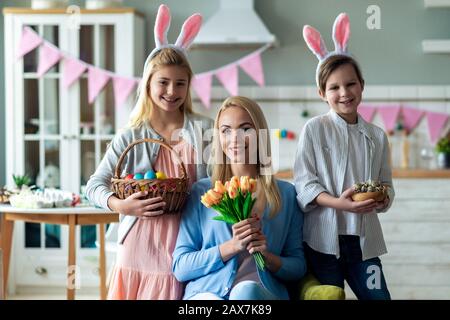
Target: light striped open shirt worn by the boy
{"x": 320, "y": 166}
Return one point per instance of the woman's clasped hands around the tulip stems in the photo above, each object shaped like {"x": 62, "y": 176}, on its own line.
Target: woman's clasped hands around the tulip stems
{"x": 244, "y": 232}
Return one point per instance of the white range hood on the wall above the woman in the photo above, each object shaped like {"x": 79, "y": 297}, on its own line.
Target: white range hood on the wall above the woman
{"x": 234, "y": 24}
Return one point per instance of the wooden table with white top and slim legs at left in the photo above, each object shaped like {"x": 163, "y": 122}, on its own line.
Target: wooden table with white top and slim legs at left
{"x": 72, "y": 217}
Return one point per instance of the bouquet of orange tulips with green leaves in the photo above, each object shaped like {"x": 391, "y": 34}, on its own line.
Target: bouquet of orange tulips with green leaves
{"x": 234, "y": 202}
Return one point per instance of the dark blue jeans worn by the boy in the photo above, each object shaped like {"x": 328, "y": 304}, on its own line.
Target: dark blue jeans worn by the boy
{"x": 365, "y": 278}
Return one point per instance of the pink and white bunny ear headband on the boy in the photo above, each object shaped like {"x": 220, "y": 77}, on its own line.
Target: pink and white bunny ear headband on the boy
{"x": 341, "y": 35}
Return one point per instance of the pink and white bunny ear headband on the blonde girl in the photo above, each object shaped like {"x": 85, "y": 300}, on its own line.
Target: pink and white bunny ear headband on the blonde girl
{"x": 189, "y": 31}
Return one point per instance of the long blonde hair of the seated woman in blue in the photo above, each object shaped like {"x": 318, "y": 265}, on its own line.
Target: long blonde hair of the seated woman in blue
{"x": 221, "y": 170}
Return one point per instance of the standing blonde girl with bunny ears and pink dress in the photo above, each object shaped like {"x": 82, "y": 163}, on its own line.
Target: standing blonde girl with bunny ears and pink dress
{"x": 146, "y": 237}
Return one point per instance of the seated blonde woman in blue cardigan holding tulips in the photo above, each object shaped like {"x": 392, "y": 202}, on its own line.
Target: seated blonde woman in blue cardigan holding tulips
{"x": 215, "y": 259}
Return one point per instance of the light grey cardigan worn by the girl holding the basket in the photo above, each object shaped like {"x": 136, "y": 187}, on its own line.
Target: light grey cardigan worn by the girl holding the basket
{"x": 140, "y": 159}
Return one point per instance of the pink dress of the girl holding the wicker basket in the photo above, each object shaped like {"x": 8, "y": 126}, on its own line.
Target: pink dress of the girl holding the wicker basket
{"x": 143, "y": 269}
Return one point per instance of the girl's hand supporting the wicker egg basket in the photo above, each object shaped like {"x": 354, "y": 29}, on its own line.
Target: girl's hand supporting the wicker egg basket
{"x": 135, "y": 206}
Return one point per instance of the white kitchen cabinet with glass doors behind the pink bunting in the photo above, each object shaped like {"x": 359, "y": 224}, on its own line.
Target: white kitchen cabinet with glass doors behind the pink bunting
{"x": 54, "y": 134}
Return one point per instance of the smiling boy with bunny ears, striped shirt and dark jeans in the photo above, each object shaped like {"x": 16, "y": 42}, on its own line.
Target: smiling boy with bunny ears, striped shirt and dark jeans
{"x": 335, "y": 151}
